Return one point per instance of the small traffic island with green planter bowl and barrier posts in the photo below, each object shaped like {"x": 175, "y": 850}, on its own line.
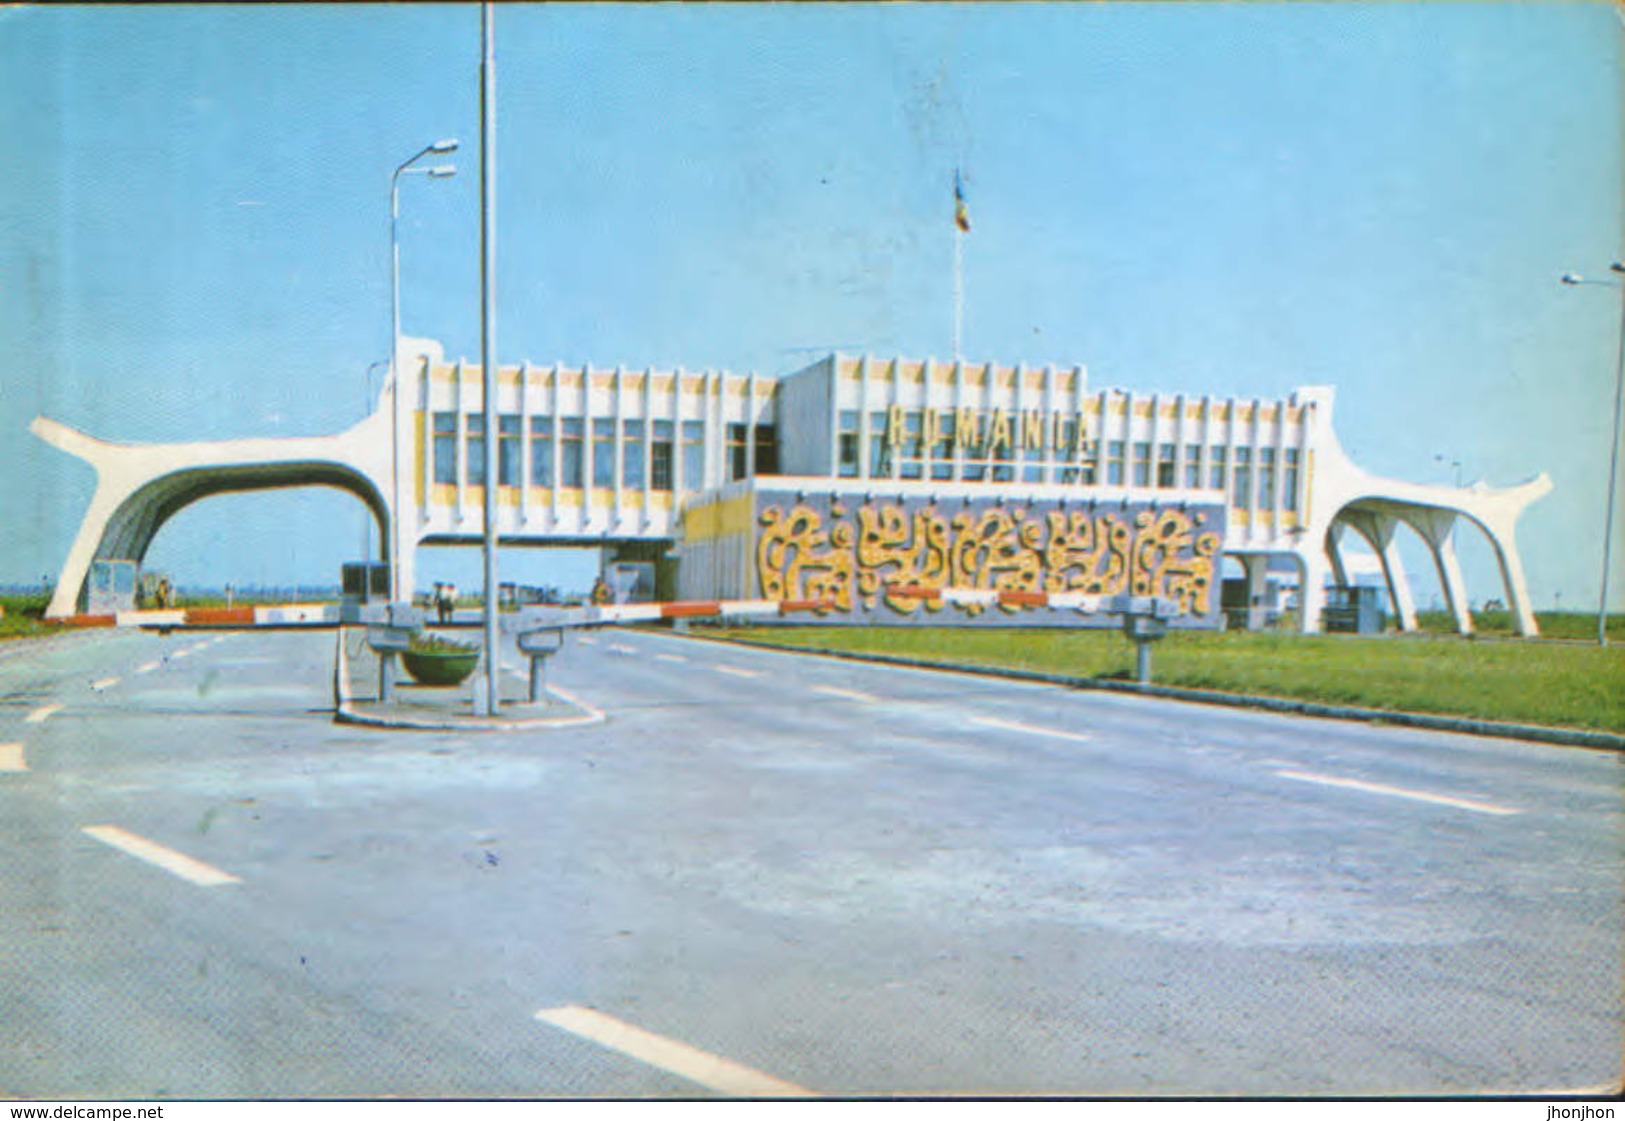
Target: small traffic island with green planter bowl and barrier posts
{"x": 366, "y": 696}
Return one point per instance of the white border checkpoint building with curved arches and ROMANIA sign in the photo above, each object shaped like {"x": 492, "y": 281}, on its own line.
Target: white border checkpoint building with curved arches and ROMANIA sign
{"x": 870, "y": 483}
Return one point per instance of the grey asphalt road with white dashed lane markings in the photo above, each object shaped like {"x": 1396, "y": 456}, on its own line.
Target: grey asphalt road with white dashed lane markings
{"x": 773, "y": 873}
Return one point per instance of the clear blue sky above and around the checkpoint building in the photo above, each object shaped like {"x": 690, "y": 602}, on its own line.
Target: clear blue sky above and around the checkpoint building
{"x": 1195, "y": 197}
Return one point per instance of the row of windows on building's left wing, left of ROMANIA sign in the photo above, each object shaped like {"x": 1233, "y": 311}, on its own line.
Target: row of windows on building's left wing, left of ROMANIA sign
{"x": 576, "y": 456}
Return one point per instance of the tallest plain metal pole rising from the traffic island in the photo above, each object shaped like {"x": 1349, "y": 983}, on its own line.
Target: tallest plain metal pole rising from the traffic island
{"x": 488, "y": 345}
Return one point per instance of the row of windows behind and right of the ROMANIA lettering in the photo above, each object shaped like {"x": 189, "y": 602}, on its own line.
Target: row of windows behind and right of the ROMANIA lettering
{"x": 1122, "y": 464}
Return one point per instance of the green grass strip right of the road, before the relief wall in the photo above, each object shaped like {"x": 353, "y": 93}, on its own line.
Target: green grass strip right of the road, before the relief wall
{"x": 1538, "y": 683}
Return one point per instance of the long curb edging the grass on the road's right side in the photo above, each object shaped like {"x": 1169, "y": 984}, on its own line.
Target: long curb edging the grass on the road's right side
{"x": 1460, "y": 725}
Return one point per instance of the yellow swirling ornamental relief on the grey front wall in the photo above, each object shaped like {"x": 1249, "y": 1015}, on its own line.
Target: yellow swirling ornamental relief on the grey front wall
{"x": 893, "y": 553}
